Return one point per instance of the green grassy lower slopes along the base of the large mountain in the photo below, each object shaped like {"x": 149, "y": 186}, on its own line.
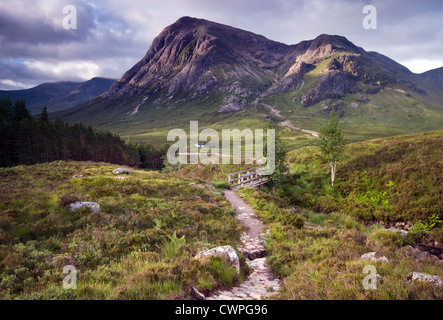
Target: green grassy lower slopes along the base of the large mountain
{"x": 392, "y": 111}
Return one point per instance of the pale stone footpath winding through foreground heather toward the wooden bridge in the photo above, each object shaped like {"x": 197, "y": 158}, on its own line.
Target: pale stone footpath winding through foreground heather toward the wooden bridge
{"x": 261, "y": 283}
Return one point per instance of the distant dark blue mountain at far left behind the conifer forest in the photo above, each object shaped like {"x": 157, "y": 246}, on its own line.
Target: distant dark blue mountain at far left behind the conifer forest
{"x": 59, "y": 95}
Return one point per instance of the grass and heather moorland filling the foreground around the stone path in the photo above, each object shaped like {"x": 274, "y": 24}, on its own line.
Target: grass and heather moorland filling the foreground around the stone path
{"x": 141, "y": 245}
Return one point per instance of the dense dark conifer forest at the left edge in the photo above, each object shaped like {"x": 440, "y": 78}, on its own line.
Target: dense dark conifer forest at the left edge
{"x": 27, "y": 140}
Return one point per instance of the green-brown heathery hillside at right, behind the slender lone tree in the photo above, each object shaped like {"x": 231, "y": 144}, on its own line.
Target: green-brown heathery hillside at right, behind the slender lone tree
{"x": 389, "y": 179}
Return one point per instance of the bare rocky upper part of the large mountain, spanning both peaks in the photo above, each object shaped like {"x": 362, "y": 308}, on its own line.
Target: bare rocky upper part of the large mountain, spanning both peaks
{"x": 198, "y": 58}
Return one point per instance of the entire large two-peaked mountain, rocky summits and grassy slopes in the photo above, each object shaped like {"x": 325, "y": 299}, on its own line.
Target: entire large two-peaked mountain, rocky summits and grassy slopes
{"x": 226, "y": 77}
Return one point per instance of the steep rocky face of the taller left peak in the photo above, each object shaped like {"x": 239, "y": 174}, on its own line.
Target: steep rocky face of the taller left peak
{"x": 195, "y": 56}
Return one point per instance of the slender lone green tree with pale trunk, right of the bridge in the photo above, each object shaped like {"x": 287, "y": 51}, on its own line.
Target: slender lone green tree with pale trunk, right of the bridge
{"x": 331, "y": 143}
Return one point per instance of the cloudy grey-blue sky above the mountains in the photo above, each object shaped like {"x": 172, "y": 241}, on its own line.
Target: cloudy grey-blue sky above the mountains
{"x": 112, "y": 35}
